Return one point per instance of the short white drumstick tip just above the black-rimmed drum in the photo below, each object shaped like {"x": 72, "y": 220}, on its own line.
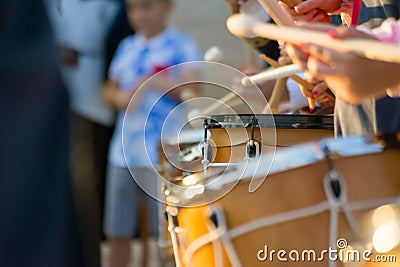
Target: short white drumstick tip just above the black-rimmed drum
{"x": 270, "y": 74}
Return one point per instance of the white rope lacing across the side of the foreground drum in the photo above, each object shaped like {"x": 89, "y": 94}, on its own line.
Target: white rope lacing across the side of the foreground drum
{"x": 221, "y": 232}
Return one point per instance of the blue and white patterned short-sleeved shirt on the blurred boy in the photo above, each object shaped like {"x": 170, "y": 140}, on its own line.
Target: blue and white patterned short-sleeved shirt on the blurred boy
{"x": 135, "y": 58}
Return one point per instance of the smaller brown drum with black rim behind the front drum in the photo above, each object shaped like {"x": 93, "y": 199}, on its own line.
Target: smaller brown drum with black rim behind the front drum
{"x": 231, "y": 135}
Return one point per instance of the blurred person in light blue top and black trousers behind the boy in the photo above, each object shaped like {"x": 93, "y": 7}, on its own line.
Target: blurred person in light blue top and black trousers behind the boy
{"x": 81, "y": 27}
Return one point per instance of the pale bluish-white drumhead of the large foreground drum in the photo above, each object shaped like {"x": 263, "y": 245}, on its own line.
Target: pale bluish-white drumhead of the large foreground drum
{"x": 210, "y": 185}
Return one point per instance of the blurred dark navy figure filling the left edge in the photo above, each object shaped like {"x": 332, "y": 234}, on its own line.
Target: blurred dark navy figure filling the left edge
{"x": 38, "y": 223}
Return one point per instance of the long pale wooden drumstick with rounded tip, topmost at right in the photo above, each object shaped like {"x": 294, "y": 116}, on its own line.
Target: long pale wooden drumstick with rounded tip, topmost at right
{"x": 242, "y": 25}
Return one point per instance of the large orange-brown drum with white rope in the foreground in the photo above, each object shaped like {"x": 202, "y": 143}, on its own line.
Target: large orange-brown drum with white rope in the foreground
{"x": 310, "y": 203}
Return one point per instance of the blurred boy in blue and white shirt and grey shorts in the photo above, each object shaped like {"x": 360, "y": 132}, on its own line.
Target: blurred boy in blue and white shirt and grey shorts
{"x": 153, "y": 48}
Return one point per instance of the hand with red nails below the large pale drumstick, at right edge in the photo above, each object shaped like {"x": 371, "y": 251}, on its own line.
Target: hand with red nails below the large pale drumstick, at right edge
{"x": 352, "y": 78}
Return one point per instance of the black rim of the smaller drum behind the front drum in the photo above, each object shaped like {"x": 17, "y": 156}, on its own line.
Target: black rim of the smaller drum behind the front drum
{"x": 281, "y": 121}
